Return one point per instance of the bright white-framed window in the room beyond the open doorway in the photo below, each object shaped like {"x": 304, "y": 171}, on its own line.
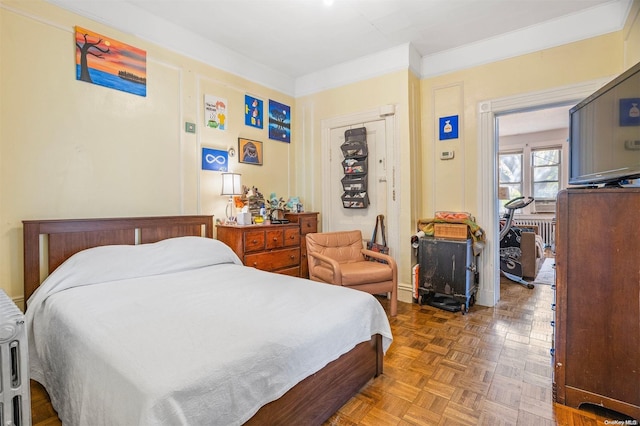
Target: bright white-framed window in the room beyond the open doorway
{"x": 538, "y": 177}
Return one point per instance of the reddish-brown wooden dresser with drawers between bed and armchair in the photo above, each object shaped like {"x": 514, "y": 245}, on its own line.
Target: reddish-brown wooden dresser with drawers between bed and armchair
{"x": 273, "y": 248}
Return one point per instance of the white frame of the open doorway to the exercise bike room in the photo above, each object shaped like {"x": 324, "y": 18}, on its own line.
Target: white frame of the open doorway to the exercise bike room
{"x": 489, "y": 293}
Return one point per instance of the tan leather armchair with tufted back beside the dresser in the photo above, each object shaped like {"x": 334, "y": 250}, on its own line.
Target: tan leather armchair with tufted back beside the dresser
{"x": 339, "y": 258}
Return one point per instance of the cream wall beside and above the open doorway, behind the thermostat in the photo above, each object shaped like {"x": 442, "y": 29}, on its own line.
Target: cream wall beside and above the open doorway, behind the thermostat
{"x": 453, "y": 184}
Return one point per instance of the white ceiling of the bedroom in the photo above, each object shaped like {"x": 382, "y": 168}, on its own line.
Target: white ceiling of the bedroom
{"x": 299, "y": 37}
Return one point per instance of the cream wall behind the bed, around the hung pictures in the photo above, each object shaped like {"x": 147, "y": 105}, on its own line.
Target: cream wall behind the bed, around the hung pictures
{"x": 70, "y": 149}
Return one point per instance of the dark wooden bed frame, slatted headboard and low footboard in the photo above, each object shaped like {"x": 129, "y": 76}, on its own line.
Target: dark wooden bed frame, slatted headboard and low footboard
{"x": 311, "y": 401}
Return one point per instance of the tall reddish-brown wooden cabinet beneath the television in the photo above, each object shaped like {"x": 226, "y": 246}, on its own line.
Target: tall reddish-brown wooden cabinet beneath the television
{"x": 597, "y": 324}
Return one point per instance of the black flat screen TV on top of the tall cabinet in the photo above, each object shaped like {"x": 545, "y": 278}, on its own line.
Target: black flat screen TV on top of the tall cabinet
{"x": 604, "y": 133}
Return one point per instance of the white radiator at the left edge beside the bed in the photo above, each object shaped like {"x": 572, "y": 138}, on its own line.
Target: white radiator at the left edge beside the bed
{"x": 15, "y": 399}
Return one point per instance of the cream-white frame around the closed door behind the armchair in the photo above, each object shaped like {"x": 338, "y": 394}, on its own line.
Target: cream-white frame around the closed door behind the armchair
{"x": 388, "y": 113}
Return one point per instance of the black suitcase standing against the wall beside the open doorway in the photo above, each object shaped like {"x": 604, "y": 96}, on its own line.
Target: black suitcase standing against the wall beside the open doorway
{"x": 448, "y": 274}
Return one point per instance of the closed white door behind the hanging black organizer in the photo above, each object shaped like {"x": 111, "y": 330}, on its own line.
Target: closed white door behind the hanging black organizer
{"x": 344, "y": 219}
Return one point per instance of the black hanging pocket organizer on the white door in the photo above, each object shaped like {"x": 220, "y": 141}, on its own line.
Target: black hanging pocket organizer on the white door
{"x": 354, "y": 182}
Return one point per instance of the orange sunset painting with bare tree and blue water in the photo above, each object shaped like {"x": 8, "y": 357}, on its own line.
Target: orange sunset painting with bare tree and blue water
{"x": 110, "y": 63}
